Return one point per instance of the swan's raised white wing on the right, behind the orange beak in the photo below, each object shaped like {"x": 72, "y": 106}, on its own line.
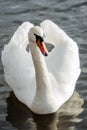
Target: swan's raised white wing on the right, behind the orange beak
{"x": 63, "y": 61}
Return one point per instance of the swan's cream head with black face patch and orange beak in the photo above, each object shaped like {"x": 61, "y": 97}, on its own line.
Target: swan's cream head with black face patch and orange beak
{"x": 36, "y": 35}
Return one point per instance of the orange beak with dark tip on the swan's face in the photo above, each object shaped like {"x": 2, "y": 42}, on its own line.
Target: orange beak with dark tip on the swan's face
{"x": 42, "y": 47}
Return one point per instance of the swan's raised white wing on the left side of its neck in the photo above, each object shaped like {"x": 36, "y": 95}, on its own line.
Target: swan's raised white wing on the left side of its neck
{"x": 18, "y": 65}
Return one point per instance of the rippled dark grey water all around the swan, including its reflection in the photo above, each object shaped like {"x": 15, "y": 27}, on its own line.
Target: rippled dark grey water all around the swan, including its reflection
{"x": 70, "y": 15}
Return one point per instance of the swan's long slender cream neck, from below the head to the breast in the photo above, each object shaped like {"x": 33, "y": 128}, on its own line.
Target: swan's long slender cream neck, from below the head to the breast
{"x": 42, "y": 76}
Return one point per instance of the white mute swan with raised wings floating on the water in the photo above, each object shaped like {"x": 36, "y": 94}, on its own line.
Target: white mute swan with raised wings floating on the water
{"x": 42, "y": 83}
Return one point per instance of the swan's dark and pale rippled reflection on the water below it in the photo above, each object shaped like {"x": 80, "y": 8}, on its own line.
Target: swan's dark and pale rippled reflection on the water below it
{"x": 23, "y": 119}
